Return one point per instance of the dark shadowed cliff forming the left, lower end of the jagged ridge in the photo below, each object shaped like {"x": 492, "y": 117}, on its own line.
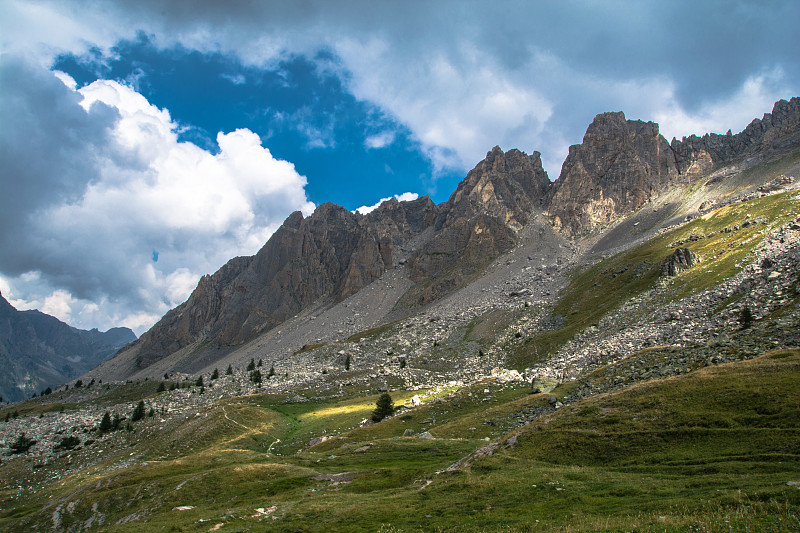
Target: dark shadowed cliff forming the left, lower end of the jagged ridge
{"x": 329, "y": 255}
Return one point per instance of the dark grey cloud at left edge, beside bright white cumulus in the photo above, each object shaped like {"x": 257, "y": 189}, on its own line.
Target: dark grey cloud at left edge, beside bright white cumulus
{"x": 48, "y": 144}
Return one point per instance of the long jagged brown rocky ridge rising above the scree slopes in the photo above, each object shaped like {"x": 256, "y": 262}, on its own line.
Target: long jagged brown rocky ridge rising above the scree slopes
{"x": 316, "y": 262}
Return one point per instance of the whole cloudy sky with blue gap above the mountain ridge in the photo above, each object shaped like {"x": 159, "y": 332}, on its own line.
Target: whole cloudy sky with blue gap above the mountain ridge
{"x": 144, "y": 144}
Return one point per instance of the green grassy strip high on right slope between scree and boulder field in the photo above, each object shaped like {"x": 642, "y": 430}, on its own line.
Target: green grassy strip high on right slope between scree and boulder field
{"x": 607, "y": 285}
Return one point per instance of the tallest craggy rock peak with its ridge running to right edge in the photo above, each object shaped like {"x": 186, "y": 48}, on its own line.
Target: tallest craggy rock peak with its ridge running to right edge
{"x": 621, "y": 165}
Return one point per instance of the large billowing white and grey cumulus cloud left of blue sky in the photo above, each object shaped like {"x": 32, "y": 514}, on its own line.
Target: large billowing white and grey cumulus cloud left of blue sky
{"x": 103, "y": 182}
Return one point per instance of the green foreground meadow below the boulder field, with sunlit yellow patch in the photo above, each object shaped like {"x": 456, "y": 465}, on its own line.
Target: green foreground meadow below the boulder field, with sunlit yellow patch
{"x": 706, "y": 451}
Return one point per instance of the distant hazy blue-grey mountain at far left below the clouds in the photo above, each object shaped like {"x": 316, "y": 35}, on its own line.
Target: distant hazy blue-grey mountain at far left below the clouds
{"x": 39, "y": 351}
